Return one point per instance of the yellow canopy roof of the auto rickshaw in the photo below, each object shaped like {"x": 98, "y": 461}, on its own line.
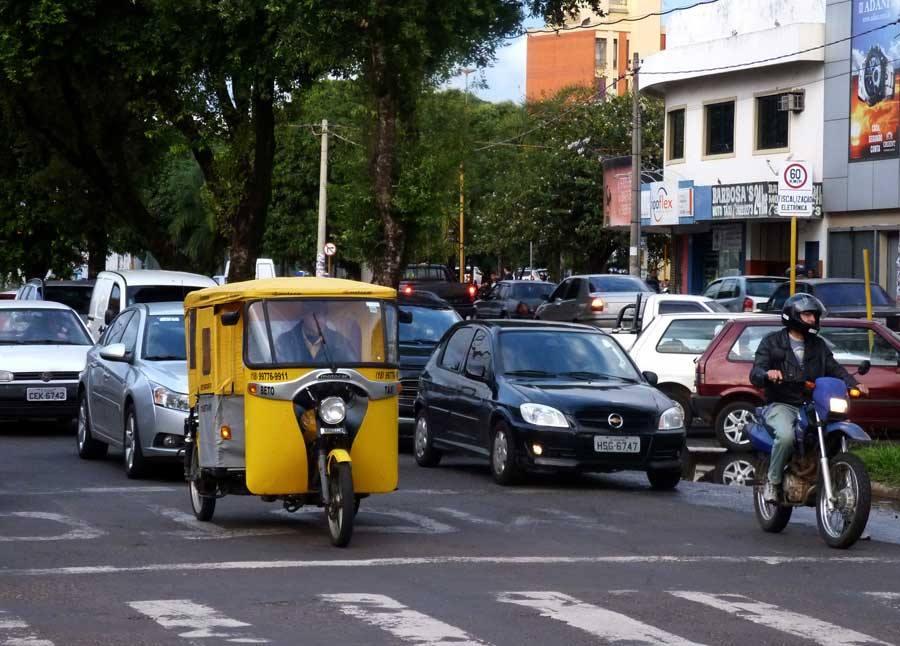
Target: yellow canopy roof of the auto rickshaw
{"x": 303, "y": 287}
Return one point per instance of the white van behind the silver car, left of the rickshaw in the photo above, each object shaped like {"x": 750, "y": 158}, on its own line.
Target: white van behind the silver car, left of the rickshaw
{"x": 116, "y": 290}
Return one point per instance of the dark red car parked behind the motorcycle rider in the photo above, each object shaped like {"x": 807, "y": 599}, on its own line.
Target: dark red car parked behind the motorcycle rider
{"x": 726, "y": 399}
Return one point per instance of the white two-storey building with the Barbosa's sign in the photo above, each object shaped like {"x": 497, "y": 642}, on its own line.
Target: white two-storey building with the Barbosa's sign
{"x": 742, "y": 98}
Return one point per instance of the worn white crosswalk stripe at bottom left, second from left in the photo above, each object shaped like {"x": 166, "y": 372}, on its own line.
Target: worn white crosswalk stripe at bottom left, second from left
{"x": 202, "y": 621}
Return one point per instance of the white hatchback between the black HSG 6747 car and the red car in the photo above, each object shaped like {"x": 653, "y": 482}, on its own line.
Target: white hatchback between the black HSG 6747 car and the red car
{"x": 670, "y": 346}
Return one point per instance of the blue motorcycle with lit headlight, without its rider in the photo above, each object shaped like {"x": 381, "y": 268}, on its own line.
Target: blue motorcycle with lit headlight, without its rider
{"x": 821, "y": 473}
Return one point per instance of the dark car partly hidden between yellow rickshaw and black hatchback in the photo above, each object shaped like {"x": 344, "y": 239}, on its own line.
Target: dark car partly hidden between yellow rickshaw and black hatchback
{"x": 423, "y": 320}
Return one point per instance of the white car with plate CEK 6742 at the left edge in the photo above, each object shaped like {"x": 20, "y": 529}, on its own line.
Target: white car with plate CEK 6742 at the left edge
{"x": 42, "y": 351}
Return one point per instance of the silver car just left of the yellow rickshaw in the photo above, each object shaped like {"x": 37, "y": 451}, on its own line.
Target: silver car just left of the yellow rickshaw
{"x": 133, "y": 391}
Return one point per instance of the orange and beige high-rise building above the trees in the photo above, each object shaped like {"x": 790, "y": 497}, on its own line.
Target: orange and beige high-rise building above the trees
{"x": 594, "y": 55}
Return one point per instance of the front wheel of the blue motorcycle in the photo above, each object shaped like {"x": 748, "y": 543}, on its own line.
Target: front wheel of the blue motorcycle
{"x": 843, "y": 524}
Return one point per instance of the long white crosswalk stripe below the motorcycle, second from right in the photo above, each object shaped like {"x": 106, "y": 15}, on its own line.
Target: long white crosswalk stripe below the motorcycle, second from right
{"x": 793, "y": 623}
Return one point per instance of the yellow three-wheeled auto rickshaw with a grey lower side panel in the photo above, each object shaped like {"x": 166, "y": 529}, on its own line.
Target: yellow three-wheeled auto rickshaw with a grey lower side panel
{"x": 293, "y": 394}
